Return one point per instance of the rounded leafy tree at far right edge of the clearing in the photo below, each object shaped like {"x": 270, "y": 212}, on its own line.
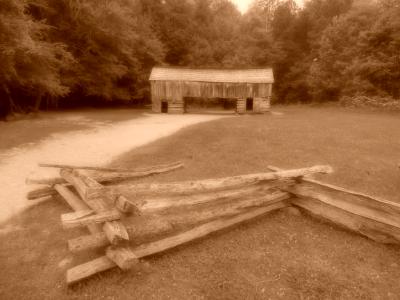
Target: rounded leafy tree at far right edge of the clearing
{"x": 359, "y": 56}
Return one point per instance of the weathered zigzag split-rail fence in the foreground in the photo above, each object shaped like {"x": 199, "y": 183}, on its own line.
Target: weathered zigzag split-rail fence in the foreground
{"x": 133, "y": 221}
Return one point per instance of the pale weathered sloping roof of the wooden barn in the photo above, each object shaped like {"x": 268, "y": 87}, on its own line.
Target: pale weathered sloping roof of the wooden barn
{"x": 213, "y": 75}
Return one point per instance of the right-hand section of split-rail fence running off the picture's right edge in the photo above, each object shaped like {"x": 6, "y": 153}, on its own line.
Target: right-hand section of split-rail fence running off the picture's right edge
{"x": 369, "y": 216}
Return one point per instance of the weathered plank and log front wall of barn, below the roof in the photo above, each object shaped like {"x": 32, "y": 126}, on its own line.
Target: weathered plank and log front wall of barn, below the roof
{"x": 175, "y": 91}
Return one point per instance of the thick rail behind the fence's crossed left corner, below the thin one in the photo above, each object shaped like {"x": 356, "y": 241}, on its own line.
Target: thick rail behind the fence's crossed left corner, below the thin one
{"x": 115, "y": 176}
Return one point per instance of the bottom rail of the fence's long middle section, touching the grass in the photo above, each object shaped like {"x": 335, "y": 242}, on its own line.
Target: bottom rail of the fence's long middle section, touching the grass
{"x": 103, "y": 263}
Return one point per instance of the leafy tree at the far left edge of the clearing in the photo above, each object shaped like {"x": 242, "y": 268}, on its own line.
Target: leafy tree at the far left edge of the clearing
{"x": 30, "y": 65}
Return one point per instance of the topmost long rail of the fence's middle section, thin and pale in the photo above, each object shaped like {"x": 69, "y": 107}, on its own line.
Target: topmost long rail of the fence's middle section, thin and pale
{"x": 187, "y": 187}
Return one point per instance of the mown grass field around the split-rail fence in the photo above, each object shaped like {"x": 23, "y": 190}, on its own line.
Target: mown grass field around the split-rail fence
{"x": 278, "y": 256}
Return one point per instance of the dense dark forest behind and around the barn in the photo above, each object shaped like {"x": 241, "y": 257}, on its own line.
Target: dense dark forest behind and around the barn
{"x": 79, "y": 51}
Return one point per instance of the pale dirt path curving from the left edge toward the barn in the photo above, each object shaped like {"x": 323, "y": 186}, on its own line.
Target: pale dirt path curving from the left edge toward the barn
{"x": 96, "y": 146}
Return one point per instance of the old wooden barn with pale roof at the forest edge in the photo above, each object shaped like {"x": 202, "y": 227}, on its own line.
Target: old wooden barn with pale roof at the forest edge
{"x": 172, "y": 87}
